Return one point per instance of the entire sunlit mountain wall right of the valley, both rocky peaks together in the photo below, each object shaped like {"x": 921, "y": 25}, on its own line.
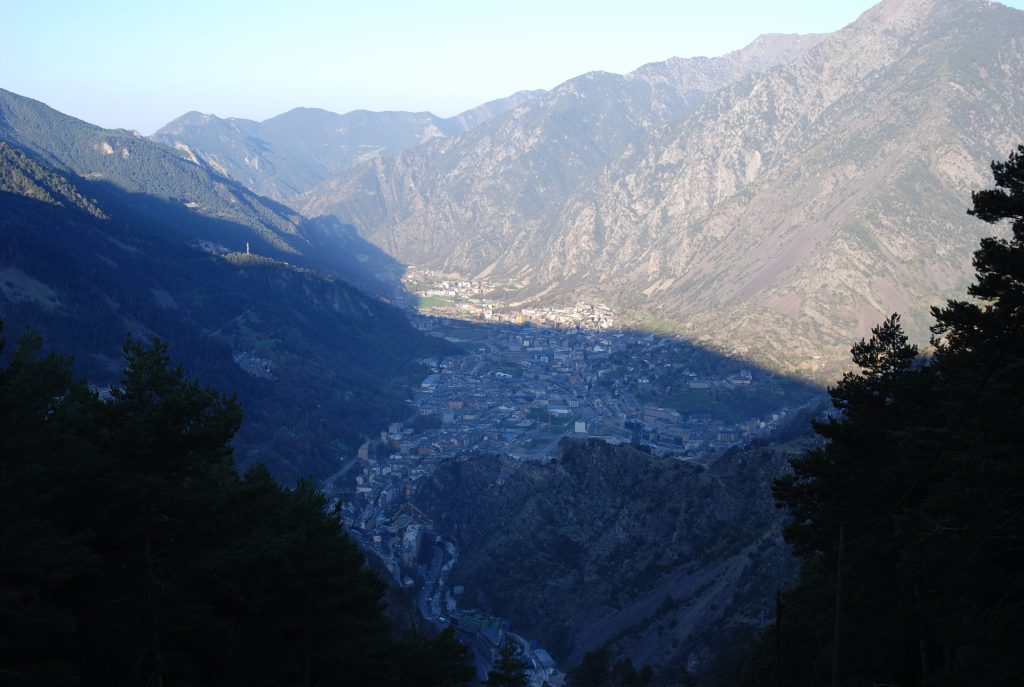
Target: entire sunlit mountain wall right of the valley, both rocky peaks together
{"x": 779, "y": 218}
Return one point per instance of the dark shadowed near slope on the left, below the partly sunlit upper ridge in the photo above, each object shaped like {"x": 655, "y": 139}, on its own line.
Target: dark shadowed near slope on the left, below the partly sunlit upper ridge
{"x": 318, "y": 365}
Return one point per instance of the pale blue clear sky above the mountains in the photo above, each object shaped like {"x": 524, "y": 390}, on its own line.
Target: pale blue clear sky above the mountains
{"x": 140, "y": 65}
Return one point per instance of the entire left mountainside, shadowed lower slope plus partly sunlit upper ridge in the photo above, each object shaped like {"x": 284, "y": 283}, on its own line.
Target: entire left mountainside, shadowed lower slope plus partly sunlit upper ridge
{"x": 104, "y": 235}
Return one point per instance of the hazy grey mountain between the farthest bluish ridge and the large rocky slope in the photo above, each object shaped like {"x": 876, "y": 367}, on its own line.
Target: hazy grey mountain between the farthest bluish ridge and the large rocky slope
{"x": 492, "y": 195}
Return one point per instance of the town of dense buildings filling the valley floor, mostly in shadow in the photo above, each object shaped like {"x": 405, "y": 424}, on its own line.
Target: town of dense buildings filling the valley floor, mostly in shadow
{"x": 524, "y": 385}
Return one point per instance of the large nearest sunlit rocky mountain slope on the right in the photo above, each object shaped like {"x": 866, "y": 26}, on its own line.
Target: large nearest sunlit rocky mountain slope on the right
{"x": 794, "y": 212}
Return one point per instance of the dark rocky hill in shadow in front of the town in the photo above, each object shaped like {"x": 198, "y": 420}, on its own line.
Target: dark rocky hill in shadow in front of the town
{"x": 660, "y": 559}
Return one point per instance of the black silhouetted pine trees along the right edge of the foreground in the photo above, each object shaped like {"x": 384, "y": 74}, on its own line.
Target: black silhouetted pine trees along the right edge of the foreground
{"x": 911, "y": 520}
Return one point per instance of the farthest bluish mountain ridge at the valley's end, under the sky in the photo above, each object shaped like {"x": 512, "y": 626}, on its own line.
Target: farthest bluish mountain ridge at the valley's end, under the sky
{"x": 294, "y": 152}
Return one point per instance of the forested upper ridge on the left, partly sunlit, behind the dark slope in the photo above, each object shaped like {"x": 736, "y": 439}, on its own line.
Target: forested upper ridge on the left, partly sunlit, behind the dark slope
{"x": 189, "y": 202}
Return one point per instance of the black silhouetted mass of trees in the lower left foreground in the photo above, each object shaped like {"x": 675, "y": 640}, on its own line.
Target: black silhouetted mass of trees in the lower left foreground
{"x": 134, "y": 553}
